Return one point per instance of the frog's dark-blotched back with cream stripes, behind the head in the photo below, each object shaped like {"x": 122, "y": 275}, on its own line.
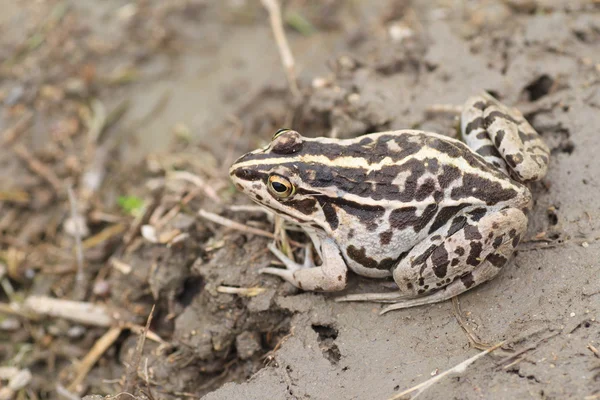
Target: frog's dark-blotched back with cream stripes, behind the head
{"x": 410, "y": 168}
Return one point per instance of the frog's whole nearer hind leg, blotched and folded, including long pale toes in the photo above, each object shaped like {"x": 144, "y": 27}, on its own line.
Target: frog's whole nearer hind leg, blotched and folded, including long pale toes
{"x": 438, "y": 269}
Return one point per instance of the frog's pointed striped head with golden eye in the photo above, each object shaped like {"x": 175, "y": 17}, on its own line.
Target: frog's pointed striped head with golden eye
{"x": 282, "y": 177}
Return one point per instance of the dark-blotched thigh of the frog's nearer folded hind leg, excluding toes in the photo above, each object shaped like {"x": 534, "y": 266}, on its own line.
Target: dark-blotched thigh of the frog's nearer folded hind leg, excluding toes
{"x": 447, "y": 272}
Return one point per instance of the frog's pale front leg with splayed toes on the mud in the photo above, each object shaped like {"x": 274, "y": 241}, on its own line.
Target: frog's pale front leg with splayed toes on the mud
{"x": 329, "y": 277}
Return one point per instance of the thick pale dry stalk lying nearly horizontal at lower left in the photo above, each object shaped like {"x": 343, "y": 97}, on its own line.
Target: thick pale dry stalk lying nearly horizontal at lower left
{"x": 81, "y": 312}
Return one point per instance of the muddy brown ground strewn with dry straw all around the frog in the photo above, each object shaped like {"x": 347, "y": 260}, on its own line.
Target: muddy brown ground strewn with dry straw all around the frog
{"x": 140, "y": 108}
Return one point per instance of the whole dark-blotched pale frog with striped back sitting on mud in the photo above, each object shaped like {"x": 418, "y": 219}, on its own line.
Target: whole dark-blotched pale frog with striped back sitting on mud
{"x": 438, "y": 215}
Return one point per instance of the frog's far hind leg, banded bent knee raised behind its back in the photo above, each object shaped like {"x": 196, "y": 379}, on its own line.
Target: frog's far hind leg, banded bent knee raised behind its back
{"x": 504, "y": 138}
